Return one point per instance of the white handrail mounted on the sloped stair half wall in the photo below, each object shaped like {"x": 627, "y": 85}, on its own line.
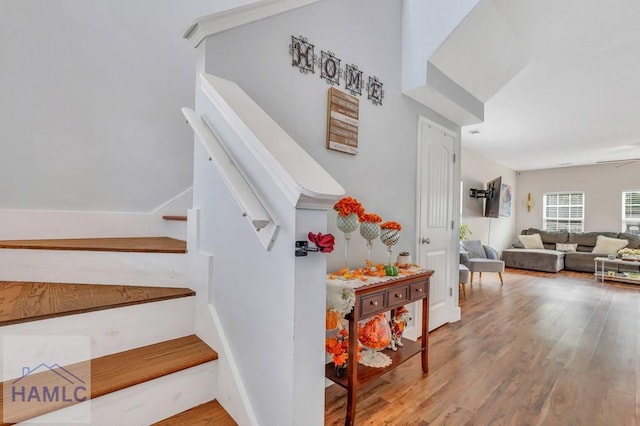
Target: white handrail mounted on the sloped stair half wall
{"x": 246, "y": 197}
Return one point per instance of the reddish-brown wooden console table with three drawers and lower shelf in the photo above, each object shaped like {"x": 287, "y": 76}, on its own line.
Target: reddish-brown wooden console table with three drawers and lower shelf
{"x": 372, "y": 299}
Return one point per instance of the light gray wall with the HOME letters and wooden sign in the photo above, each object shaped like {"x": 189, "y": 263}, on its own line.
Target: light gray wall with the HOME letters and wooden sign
{"x": 367, "y": 33}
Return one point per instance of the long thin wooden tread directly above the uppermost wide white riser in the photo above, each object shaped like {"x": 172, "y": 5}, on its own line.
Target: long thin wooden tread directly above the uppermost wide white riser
{"x": 124, "y": 244}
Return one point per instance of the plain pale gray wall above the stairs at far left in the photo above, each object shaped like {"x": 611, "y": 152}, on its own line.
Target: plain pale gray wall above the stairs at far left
{"x": 90, "y": 96}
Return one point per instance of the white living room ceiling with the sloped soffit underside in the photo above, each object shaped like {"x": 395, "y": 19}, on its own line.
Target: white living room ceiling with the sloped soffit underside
{"x": 572, "y": 96}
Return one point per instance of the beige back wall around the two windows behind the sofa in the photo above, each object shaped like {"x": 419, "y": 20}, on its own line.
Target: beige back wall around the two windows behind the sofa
{"x": 602, "y": 185}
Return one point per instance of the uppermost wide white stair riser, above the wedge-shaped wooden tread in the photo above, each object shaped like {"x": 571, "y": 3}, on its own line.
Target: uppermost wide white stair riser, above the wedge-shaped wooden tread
{"x": 94, "y": 267}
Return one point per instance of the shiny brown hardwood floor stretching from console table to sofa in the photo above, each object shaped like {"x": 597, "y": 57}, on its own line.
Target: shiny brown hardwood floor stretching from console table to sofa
{"x": 544, "y": 349}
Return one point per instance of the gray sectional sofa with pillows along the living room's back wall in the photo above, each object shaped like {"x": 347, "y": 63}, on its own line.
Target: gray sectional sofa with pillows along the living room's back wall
{"x": 551, "y": 260}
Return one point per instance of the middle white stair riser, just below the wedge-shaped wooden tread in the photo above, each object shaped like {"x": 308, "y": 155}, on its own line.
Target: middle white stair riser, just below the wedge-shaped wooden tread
{"x": 117, "y": 329}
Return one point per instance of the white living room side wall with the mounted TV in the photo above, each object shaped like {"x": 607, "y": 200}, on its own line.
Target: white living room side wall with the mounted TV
{"x": 477, "y": 170}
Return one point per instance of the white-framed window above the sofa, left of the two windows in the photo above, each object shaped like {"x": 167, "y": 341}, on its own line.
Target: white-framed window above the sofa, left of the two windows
{"x": 564, "y": 211}
